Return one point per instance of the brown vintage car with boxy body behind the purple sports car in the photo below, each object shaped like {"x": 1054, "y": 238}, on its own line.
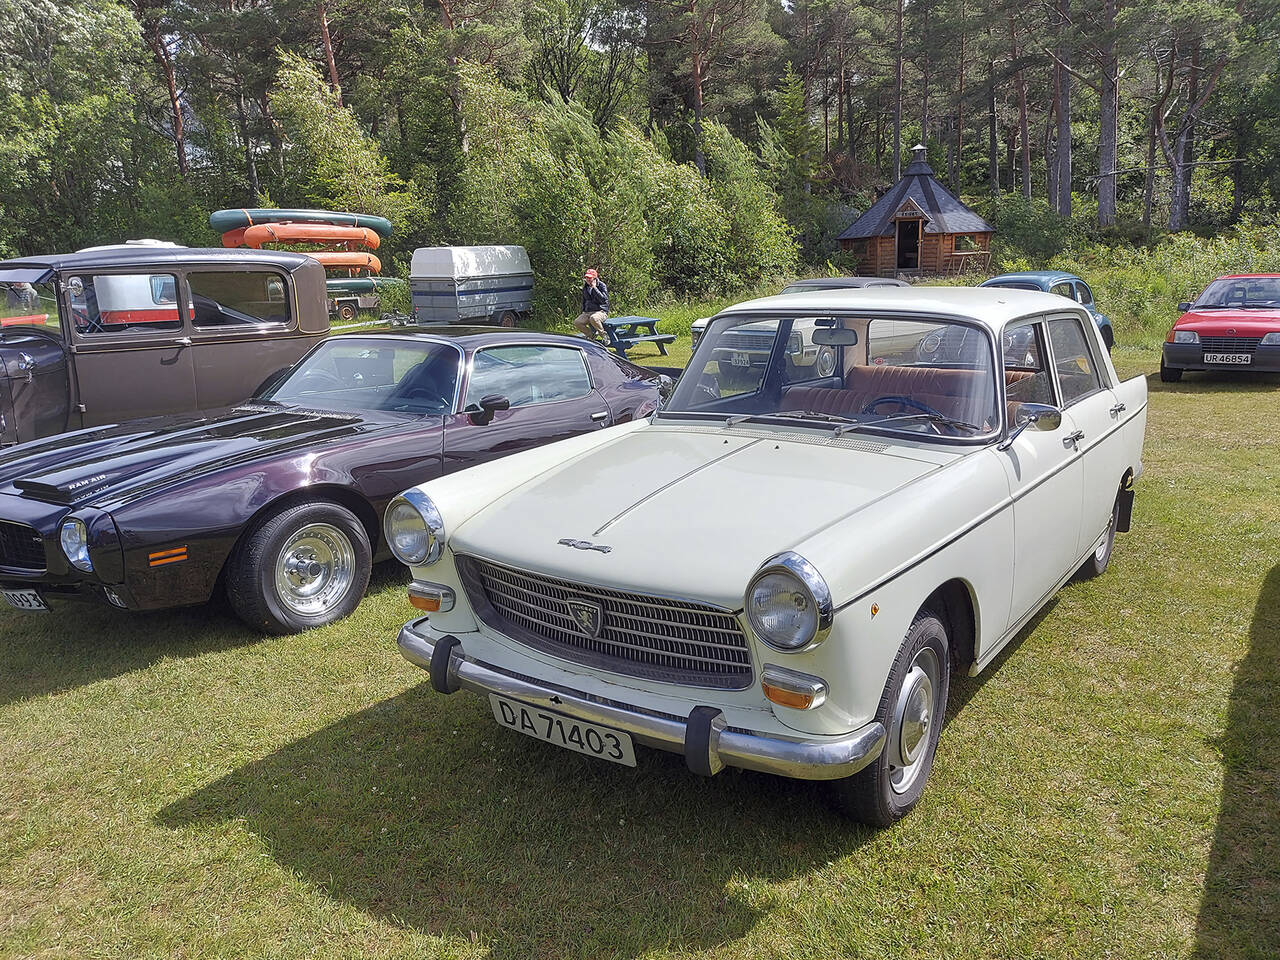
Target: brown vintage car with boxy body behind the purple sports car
{"x": 141, "y": 330}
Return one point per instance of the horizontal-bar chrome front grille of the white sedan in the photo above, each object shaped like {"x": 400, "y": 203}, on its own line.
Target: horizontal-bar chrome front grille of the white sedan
{"x": 675, "y": 642}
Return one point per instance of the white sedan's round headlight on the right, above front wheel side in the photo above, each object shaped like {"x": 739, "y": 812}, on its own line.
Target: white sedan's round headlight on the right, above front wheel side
{"x": 789, "y": 605}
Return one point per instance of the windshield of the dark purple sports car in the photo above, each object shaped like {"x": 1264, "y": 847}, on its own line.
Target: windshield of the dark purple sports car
{"x": 364, "y": 376}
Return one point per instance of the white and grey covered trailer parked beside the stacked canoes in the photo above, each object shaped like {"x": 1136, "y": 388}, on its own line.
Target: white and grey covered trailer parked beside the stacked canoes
{"x": 478, "y": 285}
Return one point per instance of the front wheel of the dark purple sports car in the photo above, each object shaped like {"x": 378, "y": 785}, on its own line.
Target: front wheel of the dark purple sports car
{"x": 252, "y": 574}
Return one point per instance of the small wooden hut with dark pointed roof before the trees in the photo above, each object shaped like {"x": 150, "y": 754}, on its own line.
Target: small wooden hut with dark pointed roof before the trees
{"x": 918, "y": 227}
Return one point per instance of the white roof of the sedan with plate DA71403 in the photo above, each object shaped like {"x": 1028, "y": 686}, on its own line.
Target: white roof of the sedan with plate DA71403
{"x": 990, "y": 307}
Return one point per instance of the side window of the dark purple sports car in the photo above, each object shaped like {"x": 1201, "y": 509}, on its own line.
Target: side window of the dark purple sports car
{"x": 528, "y": 376}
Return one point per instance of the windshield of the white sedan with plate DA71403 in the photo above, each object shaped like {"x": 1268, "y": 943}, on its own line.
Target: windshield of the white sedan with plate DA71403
{"x": 927, "y": 377}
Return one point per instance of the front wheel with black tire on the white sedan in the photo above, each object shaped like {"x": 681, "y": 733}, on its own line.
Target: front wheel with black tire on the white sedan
{"x": 880, "y": 794}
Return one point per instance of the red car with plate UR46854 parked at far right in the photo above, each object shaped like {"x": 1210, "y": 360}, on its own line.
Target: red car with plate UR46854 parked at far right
{"x": 1233, "y": 324}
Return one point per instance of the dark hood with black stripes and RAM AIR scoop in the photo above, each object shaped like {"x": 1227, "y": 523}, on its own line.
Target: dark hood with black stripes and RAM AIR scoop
{"x": 125, "y": 461}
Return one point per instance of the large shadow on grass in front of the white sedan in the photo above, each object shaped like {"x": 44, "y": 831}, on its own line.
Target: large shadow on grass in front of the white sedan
{"x": 422, "y": 811}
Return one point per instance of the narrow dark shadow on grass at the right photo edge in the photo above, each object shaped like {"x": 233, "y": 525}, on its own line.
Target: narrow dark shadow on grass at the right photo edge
{"x": 1240, "y": 915}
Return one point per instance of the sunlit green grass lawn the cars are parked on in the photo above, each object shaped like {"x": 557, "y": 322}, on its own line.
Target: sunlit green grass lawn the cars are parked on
{"x": 172, "y": 785}
